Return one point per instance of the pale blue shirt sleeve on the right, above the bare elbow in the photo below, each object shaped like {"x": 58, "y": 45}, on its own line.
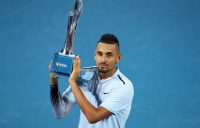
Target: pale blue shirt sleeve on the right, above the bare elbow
{"x": 119, "y": 99}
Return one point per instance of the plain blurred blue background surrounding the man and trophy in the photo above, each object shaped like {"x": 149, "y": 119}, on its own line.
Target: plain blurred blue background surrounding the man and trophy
{"x": 160, "y": 44}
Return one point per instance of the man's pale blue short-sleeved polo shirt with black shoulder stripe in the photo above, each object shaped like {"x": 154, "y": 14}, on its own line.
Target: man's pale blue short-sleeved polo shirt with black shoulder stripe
{"x": 114, "y": 93}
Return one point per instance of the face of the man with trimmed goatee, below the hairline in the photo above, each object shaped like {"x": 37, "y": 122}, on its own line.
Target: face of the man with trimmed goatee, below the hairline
{"x": 106, "y": 56}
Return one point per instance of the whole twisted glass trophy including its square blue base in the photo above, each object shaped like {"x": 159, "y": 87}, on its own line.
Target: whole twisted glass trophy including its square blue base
{"x": 62, "y": 62}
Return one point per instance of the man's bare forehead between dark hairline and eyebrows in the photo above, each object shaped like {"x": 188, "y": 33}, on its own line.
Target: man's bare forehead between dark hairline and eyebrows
{"x": 103, "y": 47}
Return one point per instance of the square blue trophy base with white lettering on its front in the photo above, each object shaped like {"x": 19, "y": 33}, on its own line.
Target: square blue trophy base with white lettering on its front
{"x": 62, "y": 64}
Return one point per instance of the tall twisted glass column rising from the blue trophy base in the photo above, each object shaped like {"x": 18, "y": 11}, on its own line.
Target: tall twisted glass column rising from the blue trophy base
{"x": 73, "y": 18}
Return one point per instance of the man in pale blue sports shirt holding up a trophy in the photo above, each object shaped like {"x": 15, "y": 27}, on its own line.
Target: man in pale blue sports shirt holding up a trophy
{"x": 103, "y": 93}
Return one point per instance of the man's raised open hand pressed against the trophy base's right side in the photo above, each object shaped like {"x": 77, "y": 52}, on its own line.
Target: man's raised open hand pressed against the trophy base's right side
{"x": 76, "y": 70}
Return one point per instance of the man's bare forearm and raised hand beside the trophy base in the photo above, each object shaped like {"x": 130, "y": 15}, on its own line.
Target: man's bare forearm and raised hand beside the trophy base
{"x": 92, "y": 113}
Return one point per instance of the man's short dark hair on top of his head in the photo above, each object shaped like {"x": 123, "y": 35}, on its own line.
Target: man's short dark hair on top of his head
{"x": 109, "y": 39}
